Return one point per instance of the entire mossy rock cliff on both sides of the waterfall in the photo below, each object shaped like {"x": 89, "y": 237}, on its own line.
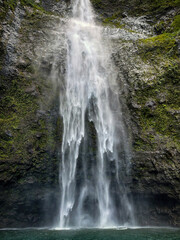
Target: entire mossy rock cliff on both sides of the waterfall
{"x": 145, "y": 50}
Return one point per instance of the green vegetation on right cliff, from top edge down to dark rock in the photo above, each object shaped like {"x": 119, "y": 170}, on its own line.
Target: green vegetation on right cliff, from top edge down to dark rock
{"x": 158, "y": 98}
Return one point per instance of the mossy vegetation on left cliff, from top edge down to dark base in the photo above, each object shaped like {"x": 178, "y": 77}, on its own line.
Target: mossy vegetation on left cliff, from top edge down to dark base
{"x": 27, "y": 138}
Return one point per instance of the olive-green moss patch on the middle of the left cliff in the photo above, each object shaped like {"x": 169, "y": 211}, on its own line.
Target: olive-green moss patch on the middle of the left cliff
{"x": 25, "y": 138}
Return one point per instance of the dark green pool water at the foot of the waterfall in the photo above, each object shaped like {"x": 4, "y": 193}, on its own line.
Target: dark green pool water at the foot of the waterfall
{"x": 129, "y": 234}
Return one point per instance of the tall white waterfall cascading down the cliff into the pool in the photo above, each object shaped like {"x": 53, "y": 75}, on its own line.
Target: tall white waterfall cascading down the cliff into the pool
{"x": 92, "y": 189}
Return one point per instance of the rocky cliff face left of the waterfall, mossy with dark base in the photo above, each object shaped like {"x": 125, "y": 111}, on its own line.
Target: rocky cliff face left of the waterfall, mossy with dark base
{"x": 30, "y": 125}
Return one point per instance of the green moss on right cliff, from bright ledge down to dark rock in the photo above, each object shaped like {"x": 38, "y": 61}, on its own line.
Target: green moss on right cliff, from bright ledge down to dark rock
{"x": 159, "y": 123}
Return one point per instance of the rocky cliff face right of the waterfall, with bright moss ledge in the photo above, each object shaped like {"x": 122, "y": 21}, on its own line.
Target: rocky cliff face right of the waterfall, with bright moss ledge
{"x": 146, "y": 53}
